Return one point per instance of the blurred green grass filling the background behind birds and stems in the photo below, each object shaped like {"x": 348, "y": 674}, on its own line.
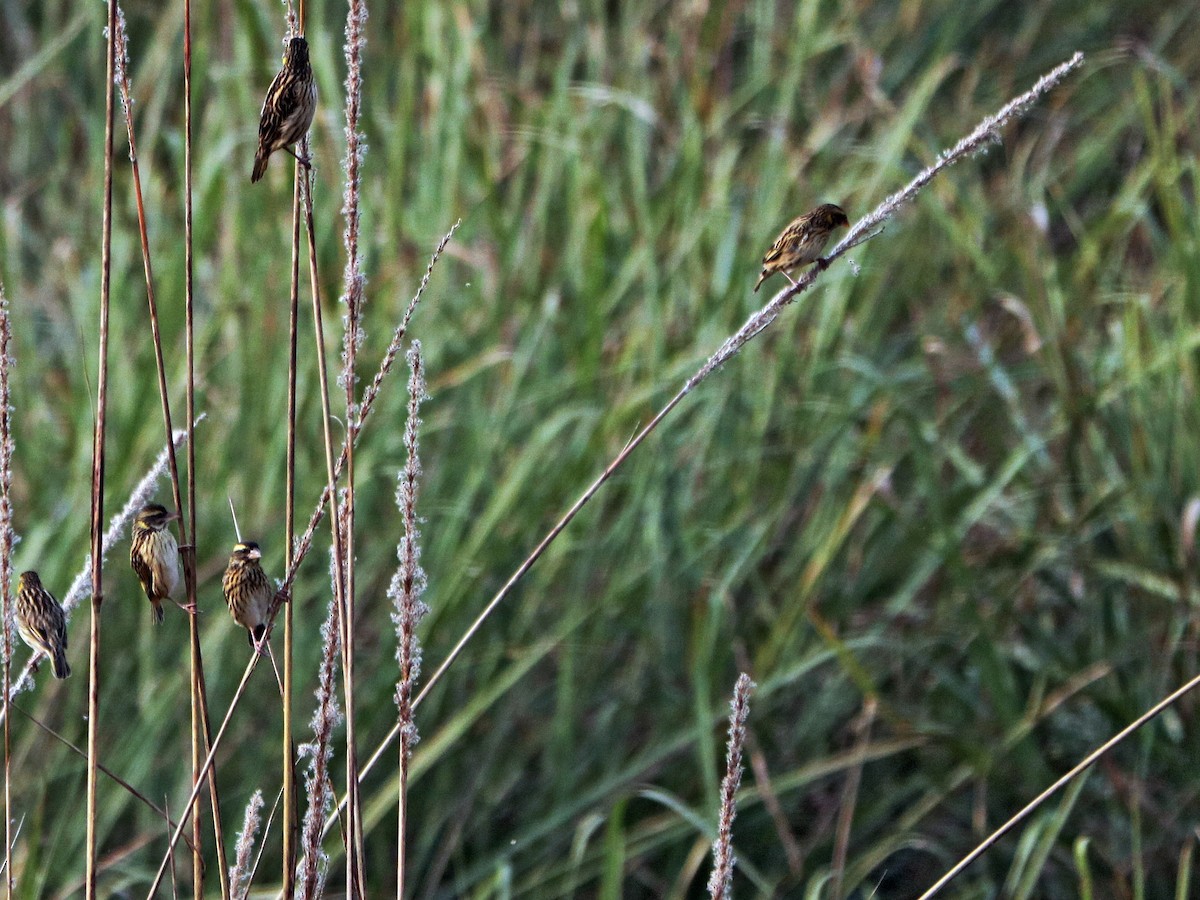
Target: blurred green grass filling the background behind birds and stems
{"x": 947, "y": 488}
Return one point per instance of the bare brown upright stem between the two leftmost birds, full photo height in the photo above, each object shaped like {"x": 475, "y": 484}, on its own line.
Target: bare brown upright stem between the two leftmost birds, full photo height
{"x": 98, "y": 459}
